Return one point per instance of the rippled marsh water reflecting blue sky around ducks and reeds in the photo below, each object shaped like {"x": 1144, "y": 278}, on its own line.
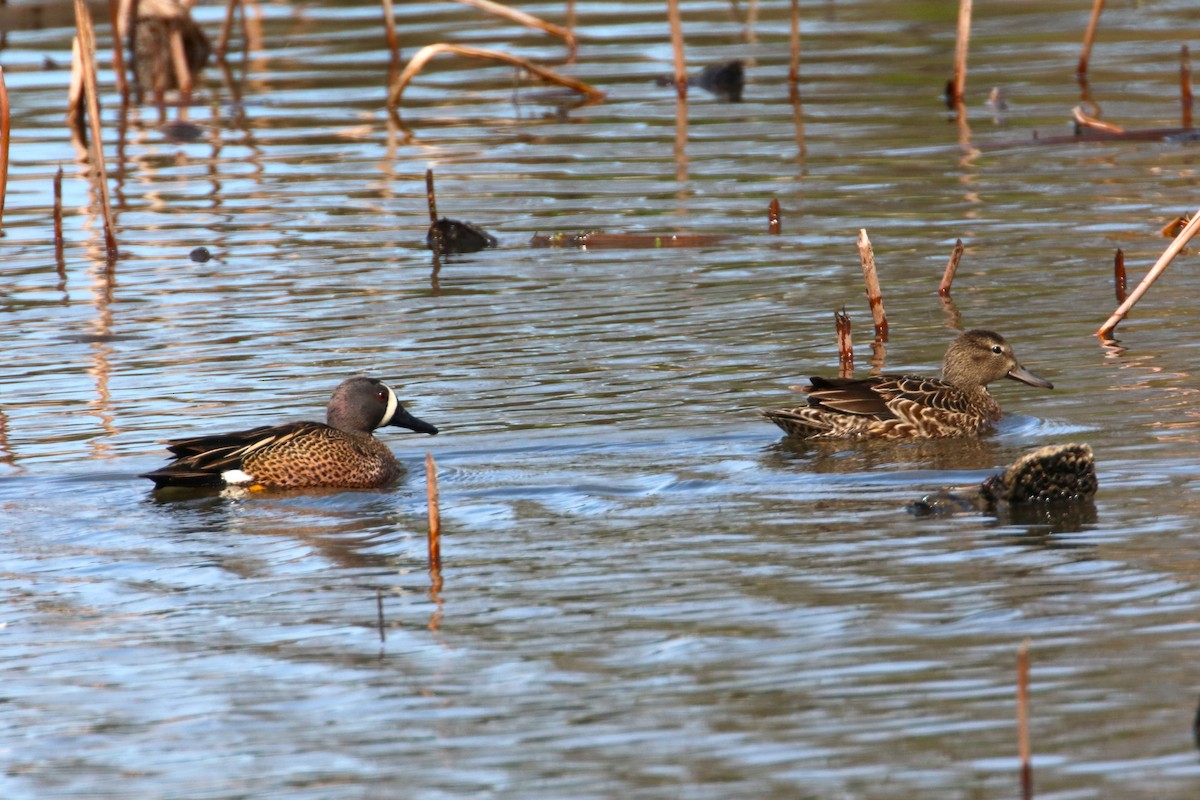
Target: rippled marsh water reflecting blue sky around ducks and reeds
{"x": 647, "y": 593}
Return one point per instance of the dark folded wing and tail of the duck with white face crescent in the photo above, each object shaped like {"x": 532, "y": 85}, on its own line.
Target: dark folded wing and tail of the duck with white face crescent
{"x": 202, "y": 461}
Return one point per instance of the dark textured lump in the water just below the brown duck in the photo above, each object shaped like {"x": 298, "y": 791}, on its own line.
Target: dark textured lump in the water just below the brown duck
{"x": 1047, "y": 476}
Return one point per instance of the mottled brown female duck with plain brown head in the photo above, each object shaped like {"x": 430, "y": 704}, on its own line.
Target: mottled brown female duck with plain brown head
{"x": 911, "y": 407}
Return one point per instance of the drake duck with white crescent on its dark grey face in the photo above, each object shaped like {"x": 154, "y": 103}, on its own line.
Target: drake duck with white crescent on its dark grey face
{"x": 343, "y": 453}
